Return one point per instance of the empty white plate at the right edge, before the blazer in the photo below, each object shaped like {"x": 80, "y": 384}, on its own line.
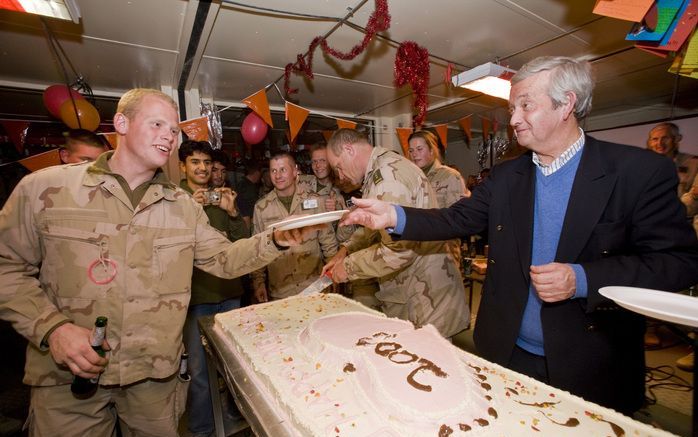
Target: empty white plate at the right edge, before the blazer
{"x": 663, "y": 305}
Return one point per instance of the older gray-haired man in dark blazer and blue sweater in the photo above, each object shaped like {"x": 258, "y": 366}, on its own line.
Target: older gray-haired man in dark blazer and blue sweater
{"x": 570, "y": 216}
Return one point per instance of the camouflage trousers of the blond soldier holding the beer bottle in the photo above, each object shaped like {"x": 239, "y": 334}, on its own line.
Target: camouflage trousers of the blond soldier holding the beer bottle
{"x": 147, "y": 408}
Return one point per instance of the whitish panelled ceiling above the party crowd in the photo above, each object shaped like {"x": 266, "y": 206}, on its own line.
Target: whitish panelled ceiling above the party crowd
{"x": 120, "y": 44}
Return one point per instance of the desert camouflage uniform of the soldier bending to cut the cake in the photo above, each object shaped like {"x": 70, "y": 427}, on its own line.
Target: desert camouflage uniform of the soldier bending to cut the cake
{"x": 419, "y": 281}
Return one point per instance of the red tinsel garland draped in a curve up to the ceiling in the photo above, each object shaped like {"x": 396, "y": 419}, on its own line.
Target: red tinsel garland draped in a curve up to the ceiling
{"x": 379, "y": 21}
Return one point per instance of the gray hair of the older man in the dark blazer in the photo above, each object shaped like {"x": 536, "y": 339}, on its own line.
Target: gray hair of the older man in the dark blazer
{"x": 566, "y": 75}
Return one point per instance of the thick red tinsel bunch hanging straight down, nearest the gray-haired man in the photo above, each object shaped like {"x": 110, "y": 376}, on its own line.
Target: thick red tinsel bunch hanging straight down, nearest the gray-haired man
{"x": 412, "y": 66}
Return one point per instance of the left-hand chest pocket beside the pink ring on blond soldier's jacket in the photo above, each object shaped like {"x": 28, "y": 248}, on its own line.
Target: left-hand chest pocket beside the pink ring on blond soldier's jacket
{"x": 70, "y": 245}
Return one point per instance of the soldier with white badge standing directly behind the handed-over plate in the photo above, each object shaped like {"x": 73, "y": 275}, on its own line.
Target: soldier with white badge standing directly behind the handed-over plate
{"x": 300, "y": 266}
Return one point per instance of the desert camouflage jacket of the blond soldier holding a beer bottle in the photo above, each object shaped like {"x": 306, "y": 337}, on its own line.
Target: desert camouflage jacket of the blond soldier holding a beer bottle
{"x": 54, "y": 229}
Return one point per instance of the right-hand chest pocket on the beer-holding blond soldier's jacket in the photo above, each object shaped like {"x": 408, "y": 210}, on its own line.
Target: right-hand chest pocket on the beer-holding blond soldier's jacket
{"x": 173, "y": 261}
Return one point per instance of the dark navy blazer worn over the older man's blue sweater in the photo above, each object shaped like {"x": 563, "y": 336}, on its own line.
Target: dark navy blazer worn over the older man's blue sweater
{"x": 624, "y": 224}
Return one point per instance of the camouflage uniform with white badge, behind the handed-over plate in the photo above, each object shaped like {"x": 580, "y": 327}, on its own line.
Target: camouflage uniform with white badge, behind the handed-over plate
{"x": 298, "y": 266}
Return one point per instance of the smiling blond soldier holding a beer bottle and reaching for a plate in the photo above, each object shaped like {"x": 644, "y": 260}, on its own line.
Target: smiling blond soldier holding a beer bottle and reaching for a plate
{"x": 112, "y": 238}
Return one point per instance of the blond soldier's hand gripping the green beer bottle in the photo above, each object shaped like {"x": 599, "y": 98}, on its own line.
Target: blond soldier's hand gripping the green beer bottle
{"x": 70, "y": 346}
